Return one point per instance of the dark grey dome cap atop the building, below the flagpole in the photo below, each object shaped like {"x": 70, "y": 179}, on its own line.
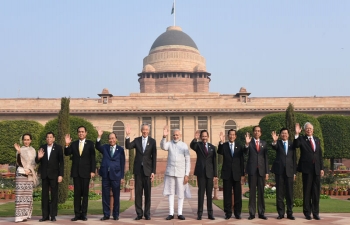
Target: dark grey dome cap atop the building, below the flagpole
{"x": 174, "y": 36}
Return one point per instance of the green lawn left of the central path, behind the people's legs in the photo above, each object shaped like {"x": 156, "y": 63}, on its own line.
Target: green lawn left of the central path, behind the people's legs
{"x": 94, "y": 208}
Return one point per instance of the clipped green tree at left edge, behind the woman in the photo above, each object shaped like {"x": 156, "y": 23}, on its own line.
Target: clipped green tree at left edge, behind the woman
{"x": 11, "y": 132}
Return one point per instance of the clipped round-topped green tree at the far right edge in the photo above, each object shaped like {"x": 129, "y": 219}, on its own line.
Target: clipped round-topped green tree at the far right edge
{"x": 336, "y": 135}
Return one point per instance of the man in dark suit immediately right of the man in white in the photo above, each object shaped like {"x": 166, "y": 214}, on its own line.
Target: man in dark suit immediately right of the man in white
{"x": 205, "y": 170}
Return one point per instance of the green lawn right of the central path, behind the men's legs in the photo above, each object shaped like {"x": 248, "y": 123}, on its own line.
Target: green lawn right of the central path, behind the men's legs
{"x": 326, "y": 206}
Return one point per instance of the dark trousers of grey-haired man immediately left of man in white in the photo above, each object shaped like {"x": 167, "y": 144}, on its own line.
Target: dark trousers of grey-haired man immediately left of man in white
{"x": 142, "y": 184}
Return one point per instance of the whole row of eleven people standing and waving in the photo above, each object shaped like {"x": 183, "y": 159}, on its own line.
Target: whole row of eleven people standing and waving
{"x": 82, "y": 153}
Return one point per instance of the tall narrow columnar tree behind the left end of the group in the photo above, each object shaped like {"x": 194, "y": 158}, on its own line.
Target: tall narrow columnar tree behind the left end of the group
{"x": 63, "y": 129}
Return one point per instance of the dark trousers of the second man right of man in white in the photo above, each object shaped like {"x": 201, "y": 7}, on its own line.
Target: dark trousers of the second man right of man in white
{"x": 237, "y": 193}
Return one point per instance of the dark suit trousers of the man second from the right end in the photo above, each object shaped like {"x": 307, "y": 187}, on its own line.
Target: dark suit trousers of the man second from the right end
{"x": 284, "y": 189}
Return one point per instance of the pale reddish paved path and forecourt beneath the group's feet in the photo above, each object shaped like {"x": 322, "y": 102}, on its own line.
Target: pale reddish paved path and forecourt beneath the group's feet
{"x": 159, "y": 210}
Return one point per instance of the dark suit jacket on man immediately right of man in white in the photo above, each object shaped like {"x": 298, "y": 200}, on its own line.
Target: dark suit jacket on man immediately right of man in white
{"x": 205, "y": 165}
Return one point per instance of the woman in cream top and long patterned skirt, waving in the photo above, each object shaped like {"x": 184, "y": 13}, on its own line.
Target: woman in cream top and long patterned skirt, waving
{"x": 26, "y": 178}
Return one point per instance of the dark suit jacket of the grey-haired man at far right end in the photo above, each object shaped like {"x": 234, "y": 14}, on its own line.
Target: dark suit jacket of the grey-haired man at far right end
{"x": 309, "y": 160}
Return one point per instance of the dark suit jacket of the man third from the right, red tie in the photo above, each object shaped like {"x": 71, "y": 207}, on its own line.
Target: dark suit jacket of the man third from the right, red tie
{"x": 257, "y": 160}
